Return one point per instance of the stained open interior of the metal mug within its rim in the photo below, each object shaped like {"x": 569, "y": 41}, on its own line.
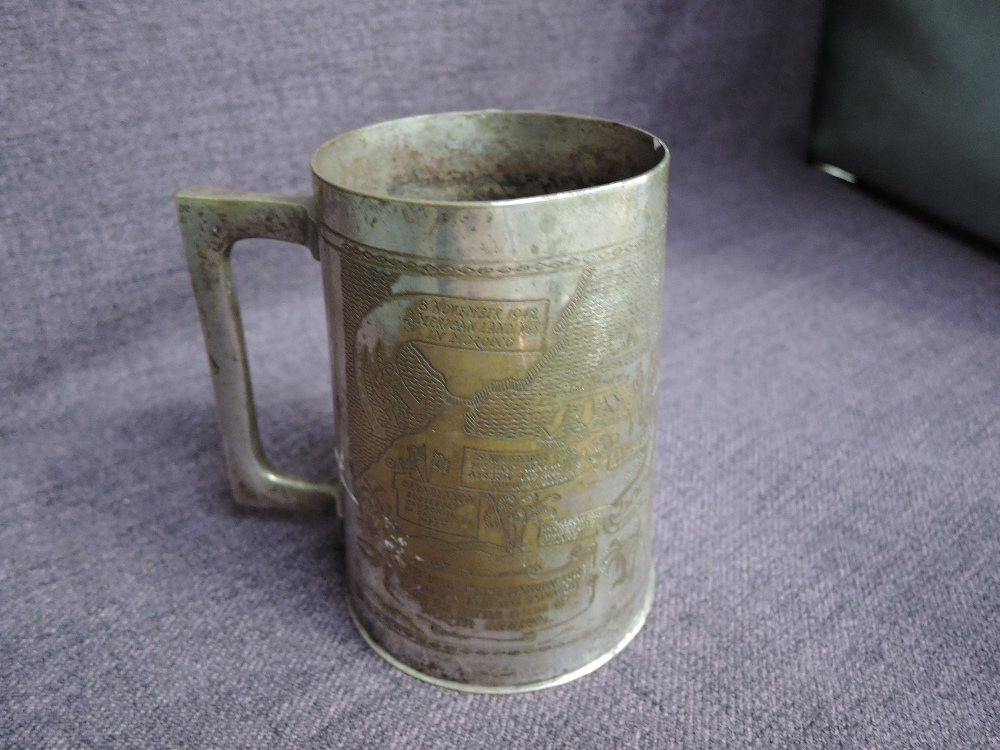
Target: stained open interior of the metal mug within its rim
{"x": 485, "y": 156}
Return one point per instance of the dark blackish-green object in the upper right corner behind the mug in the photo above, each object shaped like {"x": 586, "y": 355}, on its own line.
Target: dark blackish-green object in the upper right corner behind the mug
{"x": 908, "y": 101}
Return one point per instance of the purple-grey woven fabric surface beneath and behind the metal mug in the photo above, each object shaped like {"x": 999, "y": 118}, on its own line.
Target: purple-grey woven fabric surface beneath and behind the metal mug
{"x": 827, "y": 533}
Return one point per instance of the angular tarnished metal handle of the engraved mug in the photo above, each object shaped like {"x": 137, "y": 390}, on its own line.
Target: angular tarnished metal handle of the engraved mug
{"x": 211, "y": 220}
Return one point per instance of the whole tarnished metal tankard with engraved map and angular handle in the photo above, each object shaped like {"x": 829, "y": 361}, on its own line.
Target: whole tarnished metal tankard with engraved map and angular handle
{"x": 493, "y": 284}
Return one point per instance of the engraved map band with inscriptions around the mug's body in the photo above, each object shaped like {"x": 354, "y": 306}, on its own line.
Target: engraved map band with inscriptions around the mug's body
{"x": 501, "y": 443}
